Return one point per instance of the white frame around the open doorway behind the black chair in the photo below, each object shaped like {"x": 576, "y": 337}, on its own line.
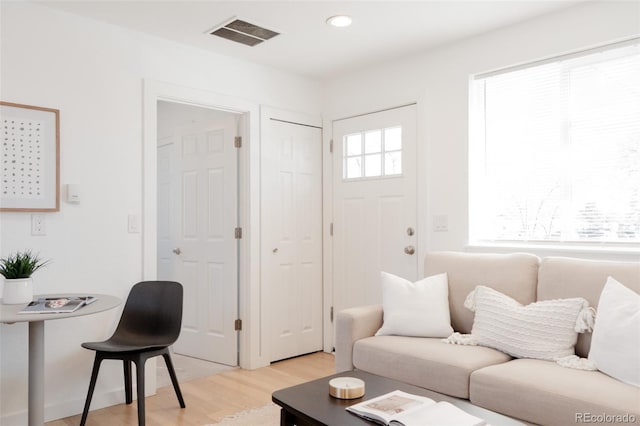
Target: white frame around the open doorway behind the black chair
{"x": 251, "y": 353}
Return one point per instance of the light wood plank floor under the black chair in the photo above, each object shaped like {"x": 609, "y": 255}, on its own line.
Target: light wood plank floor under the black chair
{"x": 211, "y": 398}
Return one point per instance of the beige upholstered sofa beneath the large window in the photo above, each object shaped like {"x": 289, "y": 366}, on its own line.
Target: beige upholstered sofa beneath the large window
{"x": 536, "y": 391}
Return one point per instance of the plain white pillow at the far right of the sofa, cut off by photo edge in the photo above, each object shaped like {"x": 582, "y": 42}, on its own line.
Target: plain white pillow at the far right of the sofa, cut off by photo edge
{"x": 615, "y": 344}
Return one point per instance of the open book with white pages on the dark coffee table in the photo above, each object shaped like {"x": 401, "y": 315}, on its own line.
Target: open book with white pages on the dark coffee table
{"x": 399, "y": 408}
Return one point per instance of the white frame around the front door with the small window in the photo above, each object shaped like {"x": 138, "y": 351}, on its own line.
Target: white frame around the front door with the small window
{"x": 327, "y": 200}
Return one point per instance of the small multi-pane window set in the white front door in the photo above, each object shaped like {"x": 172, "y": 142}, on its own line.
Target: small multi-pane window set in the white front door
{"x": 373, "y": 153}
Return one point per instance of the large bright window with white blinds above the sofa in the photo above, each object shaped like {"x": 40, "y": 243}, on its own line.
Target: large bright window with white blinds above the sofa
{"x": 555, "y": 150}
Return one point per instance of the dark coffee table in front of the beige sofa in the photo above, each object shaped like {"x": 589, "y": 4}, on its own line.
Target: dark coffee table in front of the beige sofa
{"x": 311, "y": 404}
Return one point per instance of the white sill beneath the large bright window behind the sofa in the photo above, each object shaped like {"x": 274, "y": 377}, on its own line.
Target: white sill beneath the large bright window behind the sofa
{"x": 600, "y": 252}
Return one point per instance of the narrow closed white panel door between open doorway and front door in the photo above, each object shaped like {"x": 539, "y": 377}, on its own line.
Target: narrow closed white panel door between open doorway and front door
{"x": 292, "y": 237}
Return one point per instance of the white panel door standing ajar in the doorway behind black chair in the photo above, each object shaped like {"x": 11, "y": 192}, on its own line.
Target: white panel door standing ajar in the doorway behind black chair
{"x": 198, "y": 204}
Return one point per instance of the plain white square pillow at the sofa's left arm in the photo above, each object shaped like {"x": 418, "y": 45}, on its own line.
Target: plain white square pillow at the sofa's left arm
{"x": 419, "y": 309}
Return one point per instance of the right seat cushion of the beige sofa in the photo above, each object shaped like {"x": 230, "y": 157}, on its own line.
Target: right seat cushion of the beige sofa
{"x": 545, "y": 393}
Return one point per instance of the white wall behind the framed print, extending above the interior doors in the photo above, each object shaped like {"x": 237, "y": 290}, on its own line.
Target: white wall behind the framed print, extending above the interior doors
{"x": 93, "y": 73}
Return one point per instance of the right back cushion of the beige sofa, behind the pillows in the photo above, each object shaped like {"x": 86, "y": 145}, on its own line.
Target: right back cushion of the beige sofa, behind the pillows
{"x": 561, "y": 278}
